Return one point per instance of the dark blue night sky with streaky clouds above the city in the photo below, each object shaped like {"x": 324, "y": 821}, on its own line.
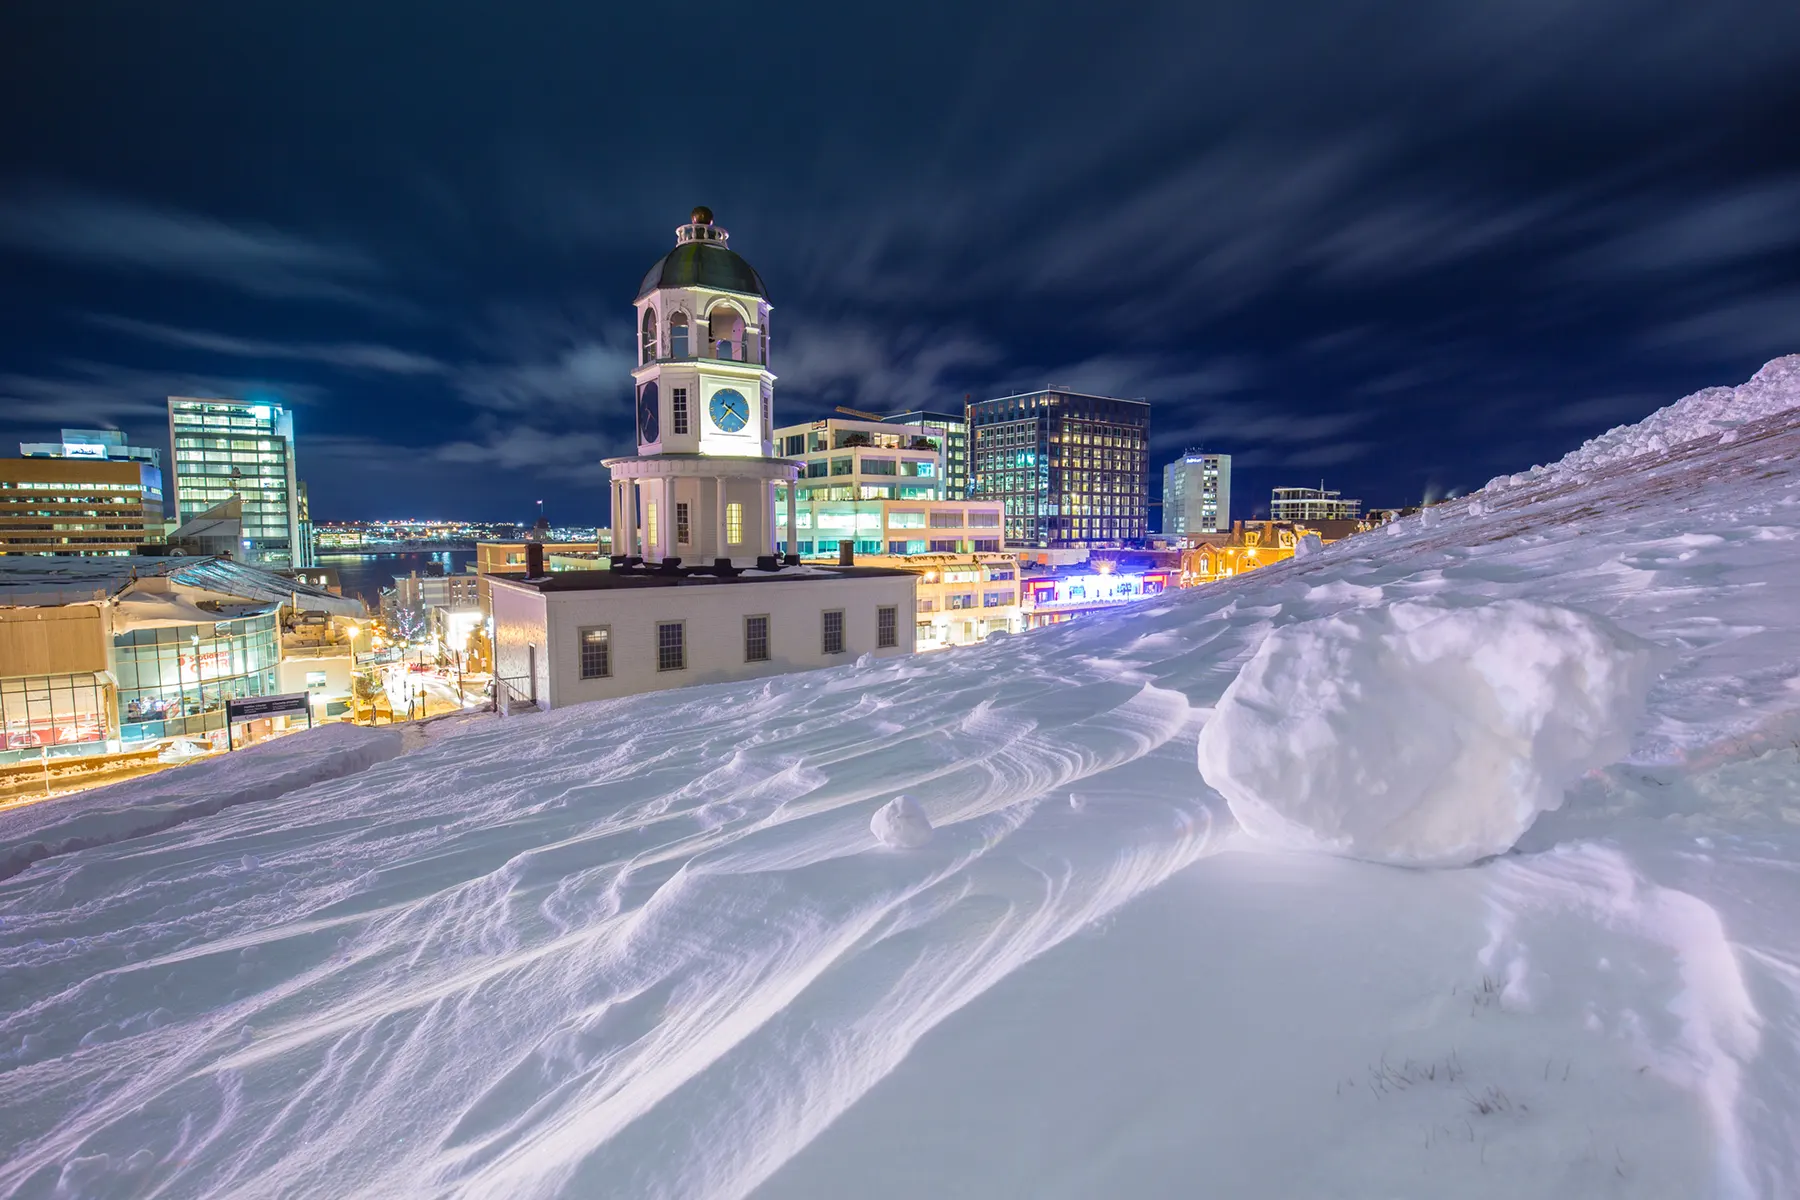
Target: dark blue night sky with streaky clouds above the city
{"x": 1401, "y": 247}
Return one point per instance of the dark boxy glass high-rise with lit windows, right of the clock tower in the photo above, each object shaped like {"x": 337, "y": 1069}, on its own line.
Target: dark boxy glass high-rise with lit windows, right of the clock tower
{"x": 1070, "y": 469}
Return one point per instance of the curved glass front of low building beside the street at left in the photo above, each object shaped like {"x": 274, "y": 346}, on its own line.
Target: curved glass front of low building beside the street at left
{"x": 175, "y": 681}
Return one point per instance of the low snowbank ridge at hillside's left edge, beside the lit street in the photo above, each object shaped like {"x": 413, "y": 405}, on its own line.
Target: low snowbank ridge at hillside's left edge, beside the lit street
{"x": 163, "y": 801}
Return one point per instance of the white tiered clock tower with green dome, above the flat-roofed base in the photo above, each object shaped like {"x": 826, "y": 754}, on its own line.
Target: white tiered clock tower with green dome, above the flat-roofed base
{"x": 701, "y": 487}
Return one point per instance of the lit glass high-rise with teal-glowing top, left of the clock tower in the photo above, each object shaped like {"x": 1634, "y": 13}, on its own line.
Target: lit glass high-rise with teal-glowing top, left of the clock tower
{"x": 228, "y": 449}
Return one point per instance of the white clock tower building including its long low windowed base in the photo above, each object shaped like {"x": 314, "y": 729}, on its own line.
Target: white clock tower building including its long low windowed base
{"x": 696, "y": 591}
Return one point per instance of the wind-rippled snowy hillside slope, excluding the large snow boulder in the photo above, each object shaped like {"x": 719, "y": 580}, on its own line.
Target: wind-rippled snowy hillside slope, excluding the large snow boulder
{"x": 652, "y": 947}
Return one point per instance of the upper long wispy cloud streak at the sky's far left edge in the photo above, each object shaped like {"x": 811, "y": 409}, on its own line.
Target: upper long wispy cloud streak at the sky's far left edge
{"x": 253, "y": 258}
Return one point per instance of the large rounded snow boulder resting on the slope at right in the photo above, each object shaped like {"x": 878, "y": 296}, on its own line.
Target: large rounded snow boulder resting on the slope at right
{"x": 1421, "y": 733}
